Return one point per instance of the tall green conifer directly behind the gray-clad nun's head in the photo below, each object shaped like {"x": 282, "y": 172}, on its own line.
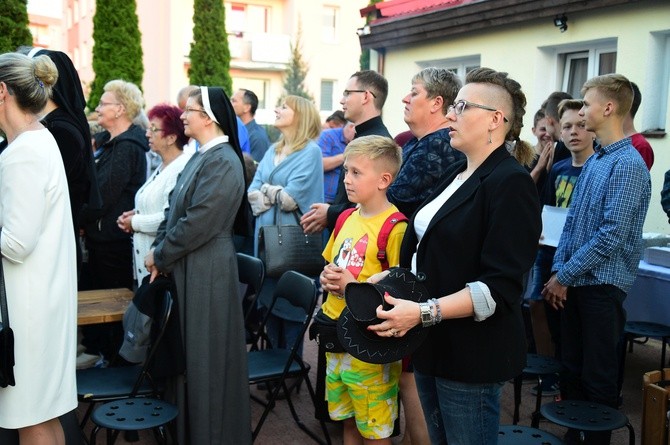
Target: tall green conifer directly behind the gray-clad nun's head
{"x": 210, "y": 55}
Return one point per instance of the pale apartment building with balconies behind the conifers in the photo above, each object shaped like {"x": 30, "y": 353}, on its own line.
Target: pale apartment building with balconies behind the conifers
{"x": 260, "y": 33}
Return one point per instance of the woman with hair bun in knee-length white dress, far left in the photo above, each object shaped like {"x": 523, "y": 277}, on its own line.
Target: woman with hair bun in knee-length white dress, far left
{"x": 38, "y": 256}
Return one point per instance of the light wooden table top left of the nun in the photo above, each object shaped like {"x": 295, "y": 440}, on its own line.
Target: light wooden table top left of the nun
{"x": 102, "y": 306}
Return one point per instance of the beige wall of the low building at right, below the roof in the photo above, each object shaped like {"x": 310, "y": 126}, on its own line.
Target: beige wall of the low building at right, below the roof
{"x": 526, "y": 53}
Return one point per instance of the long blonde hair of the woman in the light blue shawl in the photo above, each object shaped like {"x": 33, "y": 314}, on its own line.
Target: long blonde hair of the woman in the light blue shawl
{"x": 306, "y": 125}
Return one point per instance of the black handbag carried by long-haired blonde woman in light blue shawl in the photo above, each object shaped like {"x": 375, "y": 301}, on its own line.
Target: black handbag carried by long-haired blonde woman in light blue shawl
{"x": 288, "y": 247}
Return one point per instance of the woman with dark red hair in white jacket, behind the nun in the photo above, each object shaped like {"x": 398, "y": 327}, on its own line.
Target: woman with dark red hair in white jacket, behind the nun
{"x": 166, "y": 139}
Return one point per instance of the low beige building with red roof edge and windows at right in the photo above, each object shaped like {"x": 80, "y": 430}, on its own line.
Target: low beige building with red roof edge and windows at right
{"x": 545, "y": 47}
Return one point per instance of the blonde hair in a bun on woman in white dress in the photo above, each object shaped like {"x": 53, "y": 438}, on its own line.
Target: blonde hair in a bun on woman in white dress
{"x": 30, "y": 81}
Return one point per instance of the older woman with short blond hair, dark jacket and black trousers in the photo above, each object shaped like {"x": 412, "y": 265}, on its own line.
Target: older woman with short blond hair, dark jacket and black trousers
{"x": 121, "y": 169}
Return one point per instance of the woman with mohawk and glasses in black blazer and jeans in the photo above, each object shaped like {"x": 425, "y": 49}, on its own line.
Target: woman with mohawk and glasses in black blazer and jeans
{"x": 466, "y": 244}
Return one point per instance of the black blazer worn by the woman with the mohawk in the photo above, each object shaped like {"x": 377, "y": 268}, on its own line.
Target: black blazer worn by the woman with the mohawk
{"x": 487, "y": 231}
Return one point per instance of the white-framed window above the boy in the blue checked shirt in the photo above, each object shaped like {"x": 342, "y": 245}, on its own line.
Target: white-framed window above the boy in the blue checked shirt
{"x": 582, "y": 65}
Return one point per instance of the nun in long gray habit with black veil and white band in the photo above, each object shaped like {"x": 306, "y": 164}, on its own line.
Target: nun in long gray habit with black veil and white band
{"x": 195, "y": 245}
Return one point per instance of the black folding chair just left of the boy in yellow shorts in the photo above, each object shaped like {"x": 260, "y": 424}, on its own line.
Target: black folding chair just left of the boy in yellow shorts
{"x": 294, "y": 292}
